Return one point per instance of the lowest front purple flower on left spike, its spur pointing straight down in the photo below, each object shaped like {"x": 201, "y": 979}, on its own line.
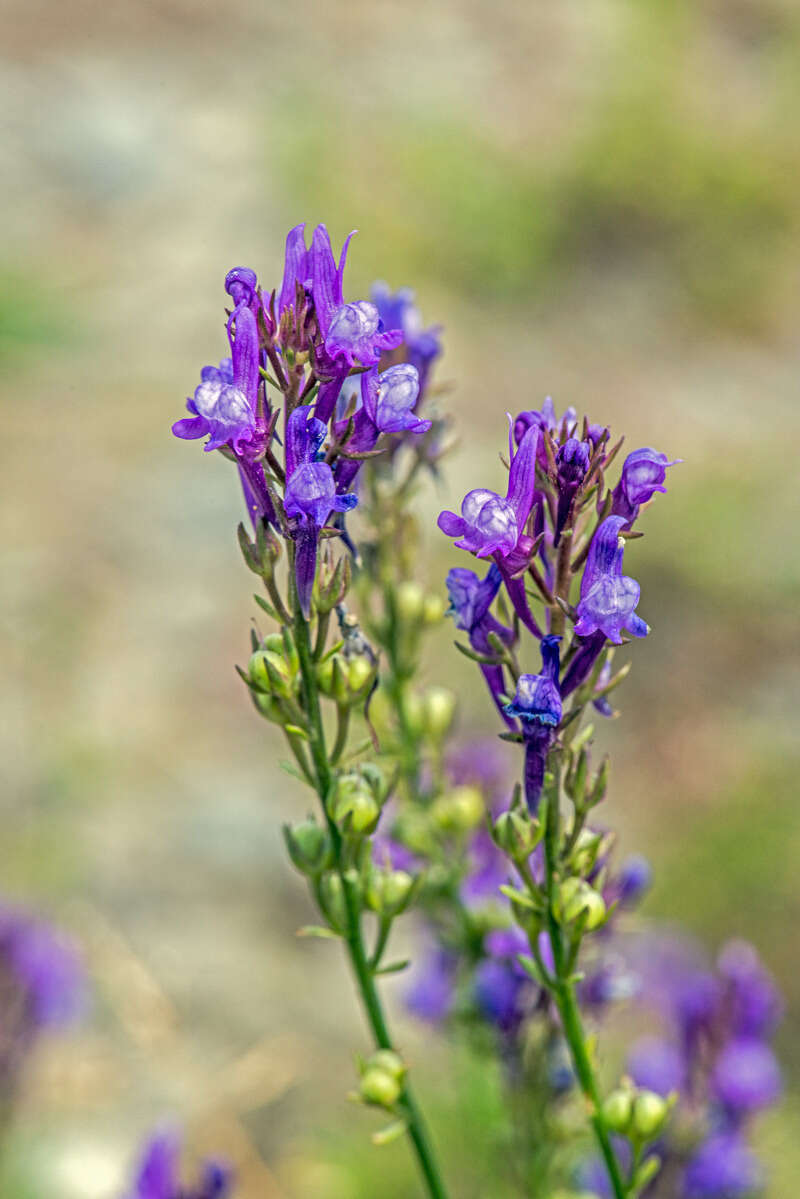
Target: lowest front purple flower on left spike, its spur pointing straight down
{"x": 310, "y": 497}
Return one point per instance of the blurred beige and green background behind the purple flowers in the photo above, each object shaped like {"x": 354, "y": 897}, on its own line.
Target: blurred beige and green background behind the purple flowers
{"x": 599, "y": 201}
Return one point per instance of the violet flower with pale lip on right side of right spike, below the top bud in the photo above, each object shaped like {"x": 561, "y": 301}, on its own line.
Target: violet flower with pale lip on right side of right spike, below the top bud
{"x": 609, "y": 599}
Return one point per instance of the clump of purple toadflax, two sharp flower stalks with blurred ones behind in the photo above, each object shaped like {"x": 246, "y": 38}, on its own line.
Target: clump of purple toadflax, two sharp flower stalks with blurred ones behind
{"x": 329, "y": 411}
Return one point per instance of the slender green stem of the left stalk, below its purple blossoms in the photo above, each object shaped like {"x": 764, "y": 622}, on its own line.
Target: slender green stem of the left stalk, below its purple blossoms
{"x": 354, "y": 938}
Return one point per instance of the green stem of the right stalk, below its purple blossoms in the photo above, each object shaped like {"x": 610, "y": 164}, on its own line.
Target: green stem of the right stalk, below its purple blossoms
{"x": 567, "y": 1002}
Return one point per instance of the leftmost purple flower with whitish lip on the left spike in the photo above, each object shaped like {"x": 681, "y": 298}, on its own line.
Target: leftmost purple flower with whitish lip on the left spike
{"x": 226, "y": 402}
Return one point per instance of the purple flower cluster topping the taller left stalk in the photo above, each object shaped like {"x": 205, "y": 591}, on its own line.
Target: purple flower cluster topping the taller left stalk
{"x": 298, "y": 346}
